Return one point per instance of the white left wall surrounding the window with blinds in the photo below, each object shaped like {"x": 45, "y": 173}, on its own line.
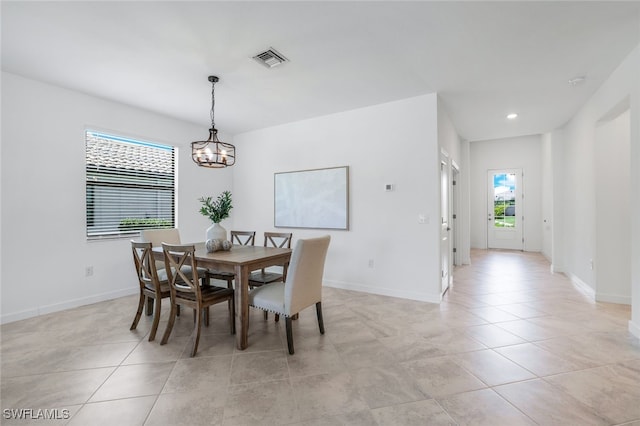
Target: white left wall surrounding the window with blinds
{"x": 44, "y": 248}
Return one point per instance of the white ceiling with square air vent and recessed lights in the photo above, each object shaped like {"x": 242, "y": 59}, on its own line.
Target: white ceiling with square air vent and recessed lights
{"x": 484, "y": 59}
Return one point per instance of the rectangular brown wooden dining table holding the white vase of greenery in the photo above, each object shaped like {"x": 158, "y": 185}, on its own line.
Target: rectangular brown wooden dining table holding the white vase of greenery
{"x": 240, "y": 260}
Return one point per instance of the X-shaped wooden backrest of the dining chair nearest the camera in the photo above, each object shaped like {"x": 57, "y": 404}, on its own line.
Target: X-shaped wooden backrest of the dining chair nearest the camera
{"x": 180, "y": 265}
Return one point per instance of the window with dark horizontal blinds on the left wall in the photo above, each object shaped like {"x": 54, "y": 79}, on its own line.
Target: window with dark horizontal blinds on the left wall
{"x": 130, "y": 185}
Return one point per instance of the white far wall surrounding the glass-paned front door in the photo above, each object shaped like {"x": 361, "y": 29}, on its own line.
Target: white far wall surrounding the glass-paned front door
{"x": 524, "y": 153}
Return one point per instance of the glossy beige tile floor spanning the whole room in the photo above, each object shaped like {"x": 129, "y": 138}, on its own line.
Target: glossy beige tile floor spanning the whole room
{"x": 511, "y": 344}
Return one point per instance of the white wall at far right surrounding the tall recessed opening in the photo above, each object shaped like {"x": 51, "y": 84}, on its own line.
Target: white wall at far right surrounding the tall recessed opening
{"x": 579, "y": 179}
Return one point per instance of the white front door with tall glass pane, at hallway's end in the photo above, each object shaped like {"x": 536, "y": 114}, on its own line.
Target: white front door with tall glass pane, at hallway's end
{"x": 505, "y": 209}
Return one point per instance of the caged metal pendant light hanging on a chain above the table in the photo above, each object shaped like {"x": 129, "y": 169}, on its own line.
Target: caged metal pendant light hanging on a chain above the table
{"x": 213, "y": 153}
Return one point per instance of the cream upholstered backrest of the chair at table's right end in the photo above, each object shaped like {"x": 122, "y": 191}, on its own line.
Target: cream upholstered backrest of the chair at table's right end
{"x": 303, "y": 286}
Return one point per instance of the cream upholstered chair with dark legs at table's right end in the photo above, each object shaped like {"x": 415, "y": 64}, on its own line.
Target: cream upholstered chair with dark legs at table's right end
{"x": 302, "y": 288}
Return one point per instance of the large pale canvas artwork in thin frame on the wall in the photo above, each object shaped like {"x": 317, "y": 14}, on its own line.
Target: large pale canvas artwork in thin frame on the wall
{"x": 312, "y": 198}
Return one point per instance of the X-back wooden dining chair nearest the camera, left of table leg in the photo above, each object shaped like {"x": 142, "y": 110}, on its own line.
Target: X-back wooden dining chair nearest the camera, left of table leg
{"x": 185, "y": 290}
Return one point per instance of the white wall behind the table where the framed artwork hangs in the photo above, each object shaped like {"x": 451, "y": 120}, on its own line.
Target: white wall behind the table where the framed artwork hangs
{"x": 394, "y": 143}
